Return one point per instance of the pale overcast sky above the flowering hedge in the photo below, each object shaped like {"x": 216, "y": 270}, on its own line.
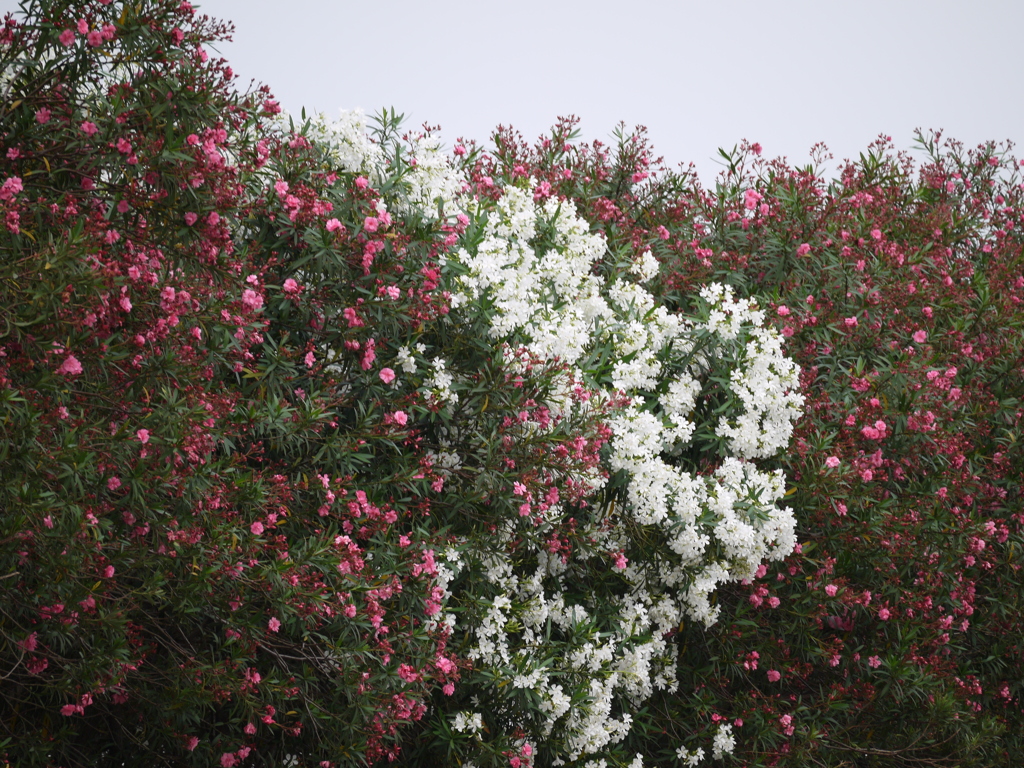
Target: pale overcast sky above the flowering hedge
{"x": 700, "y": 74}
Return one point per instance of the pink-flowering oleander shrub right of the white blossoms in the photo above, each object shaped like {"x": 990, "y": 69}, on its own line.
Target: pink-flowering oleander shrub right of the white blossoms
{"x": 887, "y": 636}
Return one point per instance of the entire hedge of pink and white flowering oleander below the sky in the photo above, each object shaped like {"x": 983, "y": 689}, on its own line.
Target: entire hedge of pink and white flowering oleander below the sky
{"x": 322, "y": 447}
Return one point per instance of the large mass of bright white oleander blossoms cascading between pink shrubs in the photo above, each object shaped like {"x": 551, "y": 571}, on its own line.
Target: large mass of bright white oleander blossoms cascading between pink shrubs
{"x": 534, "y": 273}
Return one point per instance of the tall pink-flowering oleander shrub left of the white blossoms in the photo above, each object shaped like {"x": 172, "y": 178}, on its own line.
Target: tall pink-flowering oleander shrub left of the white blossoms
{"x": 197, "y": 569}
